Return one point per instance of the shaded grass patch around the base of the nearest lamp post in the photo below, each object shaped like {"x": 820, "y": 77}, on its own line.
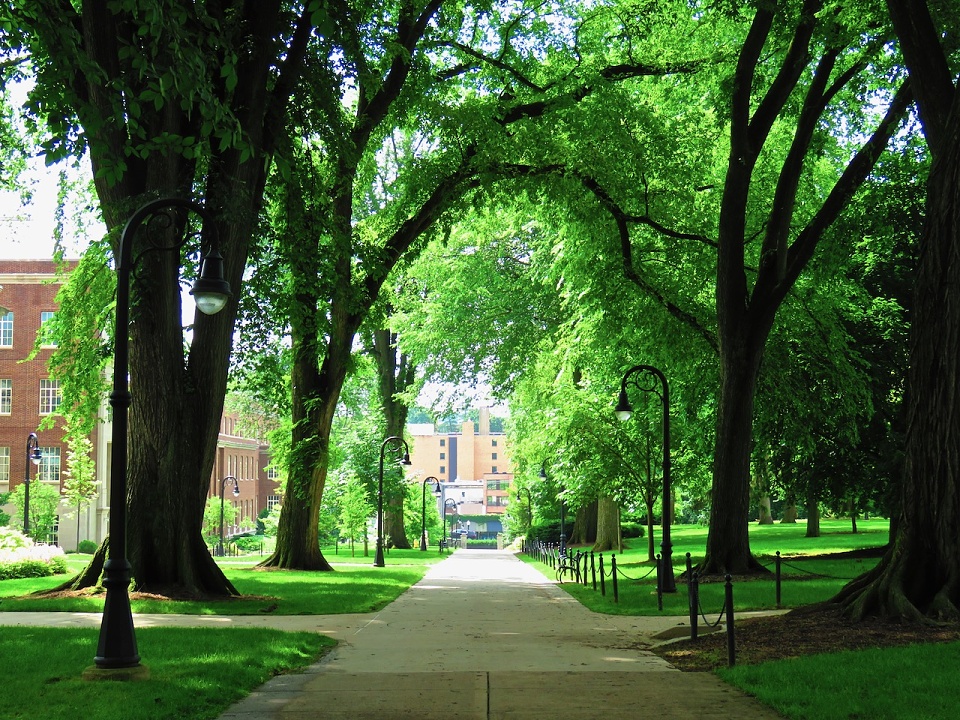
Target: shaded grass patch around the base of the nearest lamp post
{"x": 195, "y": 673}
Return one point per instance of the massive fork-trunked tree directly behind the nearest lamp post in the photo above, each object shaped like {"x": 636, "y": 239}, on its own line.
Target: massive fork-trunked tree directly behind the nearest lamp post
{"x": 167, "y": 99}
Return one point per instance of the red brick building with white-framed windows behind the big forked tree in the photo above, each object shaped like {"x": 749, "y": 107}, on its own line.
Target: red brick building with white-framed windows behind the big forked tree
{"x": 28, "y": 290}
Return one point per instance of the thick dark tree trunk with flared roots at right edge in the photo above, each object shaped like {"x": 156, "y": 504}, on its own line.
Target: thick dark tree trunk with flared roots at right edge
{"x": 916, "y": 579}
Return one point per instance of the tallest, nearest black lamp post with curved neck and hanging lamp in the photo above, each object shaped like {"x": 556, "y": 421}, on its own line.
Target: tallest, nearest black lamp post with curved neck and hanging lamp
{"x": 117, "y": 647}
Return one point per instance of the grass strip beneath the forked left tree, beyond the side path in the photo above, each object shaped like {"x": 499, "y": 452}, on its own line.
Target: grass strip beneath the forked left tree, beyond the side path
{"x": 353, "y": 587}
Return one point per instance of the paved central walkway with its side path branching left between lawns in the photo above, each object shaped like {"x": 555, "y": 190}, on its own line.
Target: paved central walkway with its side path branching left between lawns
{"x": 483, "y": 636}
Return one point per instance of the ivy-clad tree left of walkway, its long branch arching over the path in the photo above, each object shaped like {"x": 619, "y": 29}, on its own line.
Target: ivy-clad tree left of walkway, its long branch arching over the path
{"x": 410, "y": 76}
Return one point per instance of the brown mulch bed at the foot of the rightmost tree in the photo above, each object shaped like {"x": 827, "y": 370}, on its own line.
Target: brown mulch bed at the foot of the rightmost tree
{"x": 801, "y": 632}
